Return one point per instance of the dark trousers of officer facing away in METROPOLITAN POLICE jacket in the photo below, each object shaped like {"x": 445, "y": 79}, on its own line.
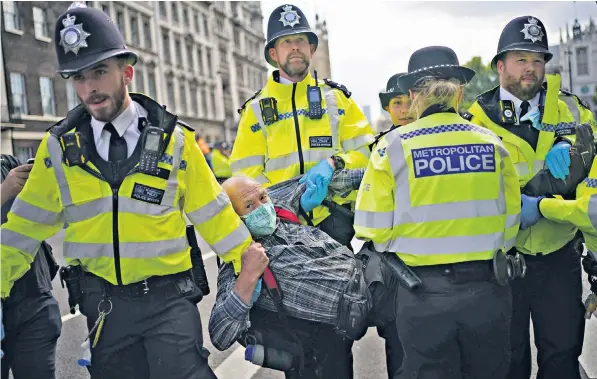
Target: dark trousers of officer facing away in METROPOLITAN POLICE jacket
{"x": 456, "y": 325}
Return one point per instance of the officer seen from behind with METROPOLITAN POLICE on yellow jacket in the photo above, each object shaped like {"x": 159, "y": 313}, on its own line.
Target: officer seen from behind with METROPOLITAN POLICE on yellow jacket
{"x": 442, "y": 194}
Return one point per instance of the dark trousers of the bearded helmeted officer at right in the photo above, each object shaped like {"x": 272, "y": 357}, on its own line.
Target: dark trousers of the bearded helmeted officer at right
{"x": 550, "y": 294}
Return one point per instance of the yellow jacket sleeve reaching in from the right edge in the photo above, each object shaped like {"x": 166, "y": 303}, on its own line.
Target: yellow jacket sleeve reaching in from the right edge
{"x": 581, "y": 212}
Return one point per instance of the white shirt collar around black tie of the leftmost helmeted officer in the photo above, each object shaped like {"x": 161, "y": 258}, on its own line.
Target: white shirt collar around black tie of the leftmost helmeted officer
{"x": 127, "y": 126}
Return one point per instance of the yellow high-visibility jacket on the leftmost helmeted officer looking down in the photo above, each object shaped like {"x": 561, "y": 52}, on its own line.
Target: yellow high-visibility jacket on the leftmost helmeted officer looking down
{"x": 131, "y": 232}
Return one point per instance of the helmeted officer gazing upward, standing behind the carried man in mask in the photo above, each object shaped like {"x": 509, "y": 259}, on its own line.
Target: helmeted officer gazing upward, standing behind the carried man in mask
{"x": 296, "y": 125}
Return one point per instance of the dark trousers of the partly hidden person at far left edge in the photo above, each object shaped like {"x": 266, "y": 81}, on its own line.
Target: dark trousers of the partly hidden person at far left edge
{"x": 32, "y": 328}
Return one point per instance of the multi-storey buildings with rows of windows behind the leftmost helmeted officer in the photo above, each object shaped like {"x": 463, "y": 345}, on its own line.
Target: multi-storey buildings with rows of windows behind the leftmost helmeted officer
{"x": 201, "y": 59}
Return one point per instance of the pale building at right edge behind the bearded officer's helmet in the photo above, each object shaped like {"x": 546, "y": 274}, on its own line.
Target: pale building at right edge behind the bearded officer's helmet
{"x": 575, "y": 58}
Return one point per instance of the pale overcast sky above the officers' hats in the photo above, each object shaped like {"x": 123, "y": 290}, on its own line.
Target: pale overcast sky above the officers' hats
{"x": 371, "y": 40}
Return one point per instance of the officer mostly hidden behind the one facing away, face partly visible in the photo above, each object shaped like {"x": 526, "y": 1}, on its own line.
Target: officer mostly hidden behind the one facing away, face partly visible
{"x": 397, "y": 103}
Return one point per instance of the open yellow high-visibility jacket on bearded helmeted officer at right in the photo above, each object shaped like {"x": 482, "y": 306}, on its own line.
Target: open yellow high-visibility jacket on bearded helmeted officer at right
{"x": 557, "y": 123}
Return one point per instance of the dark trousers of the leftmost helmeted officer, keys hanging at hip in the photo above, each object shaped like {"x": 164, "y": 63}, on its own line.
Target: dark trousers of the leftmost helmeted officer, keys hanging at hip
{"x": 153, "y": 335}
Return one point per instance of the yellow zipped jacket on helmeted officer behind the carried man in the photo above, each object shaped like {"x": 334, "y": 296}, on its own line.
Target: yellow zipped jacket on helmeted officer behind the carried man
{"x": 281, "y": 150}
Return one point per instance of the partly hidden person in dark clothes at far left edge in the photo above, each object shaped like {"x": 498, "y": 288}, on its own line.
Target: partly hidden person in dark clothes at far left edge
{"x": 31, "y": 314}
